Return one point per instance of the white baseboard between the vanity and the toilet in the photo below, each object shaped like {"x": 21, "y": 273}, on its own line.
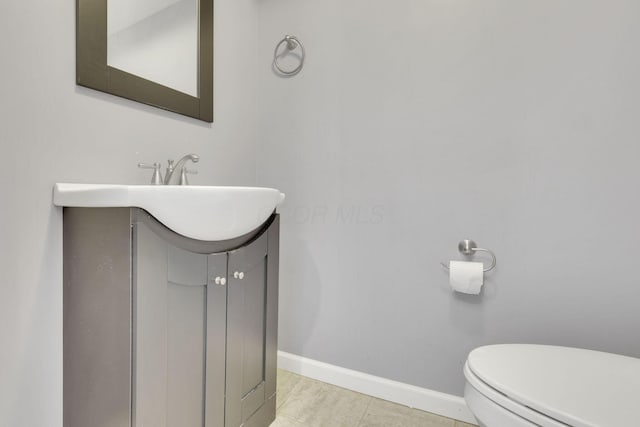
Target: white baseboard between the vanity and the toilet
{"x": 424, "y": 399}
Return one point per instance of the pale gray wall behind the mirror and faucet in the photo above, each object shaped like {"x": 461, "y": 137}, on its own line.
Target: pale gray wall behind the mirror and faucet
{"x": 52, "y": 131}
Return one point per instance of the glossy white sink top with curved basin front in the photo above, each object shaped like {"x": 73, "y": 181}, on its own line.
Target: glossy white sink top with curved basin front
{"x": 198, "y": 212}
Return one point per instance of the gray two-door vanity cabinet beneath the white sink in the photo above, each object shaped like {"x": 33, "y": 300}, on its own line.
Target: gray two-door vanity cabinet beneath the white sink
{"x": 165, "y": 330}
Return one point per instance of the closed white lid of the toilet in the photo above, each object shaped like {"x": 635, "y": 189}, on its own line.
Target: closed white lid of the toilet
{"x": 582, "y": 388}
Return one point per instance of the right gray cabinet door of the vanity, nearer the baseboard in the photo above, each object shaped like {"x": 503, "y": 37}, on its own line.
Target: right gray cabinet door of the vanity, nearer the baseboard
{"x": 251, "y": 332}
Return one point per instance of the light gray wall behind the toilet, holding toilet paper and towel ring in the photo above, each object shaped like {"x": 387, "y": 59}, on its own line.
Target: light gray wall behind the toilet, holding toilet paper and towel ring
{"x": 416, "y": 123}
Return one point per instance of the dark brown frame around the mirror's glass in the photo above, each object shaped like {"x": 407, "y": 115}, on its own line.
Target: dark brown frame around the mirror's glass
{"x": 93, "y": 72}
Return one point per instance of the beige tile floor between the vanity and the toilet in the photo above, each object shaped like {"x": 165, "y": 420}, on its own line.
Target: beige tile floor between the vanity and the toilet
{"x": 303, "y": 402}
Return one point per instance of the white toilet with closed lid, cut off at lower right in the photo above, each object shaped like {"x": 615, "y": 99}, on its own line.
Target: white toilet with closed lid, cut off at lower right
{"x": 515, "y": 385}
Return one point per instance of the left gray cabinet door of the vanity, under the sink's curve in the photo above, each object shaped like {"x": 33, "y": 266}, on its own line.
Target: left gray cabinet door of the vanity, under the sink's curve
{"x": 179, "y": 323}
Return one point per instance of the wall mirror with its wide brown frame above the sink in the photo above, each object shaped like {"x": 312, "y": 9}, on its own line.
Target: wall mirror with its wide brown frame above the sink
{"x": 158, "y": 52}
